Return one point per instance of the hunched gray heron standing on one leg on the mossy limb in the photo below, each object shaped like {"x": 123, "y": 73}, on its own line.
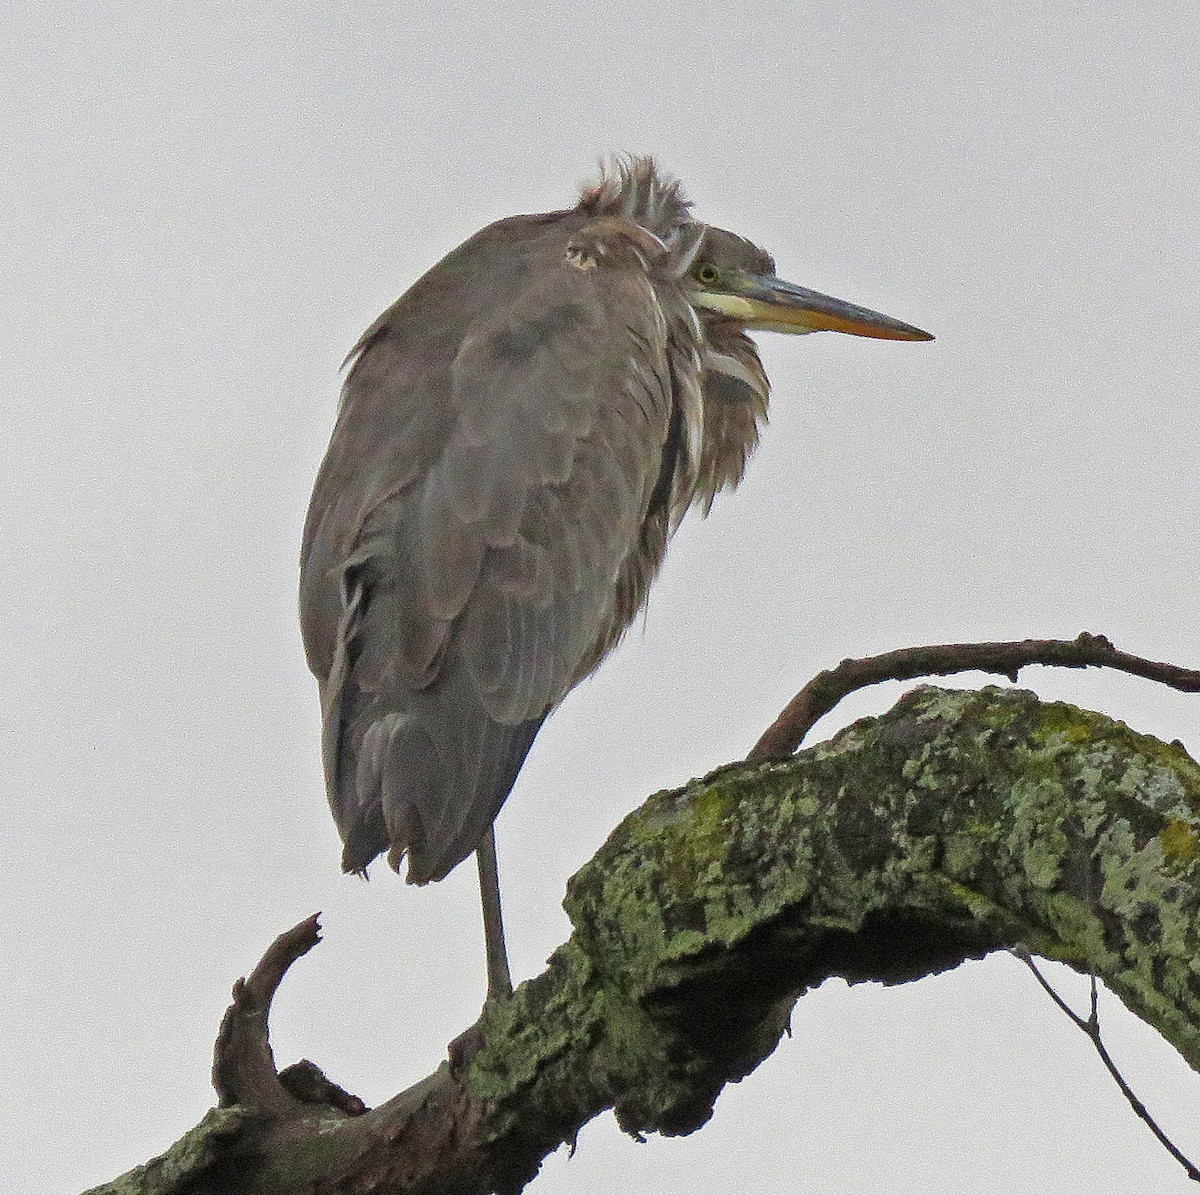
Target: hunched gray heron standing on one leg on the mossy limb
{"x": 518, "y": 439}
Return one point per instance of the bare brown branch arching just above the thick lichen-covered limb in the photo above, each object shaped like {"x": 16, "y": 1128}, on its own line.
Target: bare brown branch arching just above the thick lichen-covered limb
{"x": 829, "y": 688}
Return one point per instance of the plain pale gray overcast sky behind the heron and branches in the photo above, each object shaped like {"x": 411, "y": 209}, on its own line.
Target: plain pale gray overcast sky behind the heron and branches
{"x": 206, "y": 203}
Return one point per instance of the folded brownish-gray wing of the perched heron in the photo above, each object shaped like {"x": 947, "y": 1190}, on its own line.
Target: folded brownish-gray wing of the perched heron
{"x": 464, "y": 553}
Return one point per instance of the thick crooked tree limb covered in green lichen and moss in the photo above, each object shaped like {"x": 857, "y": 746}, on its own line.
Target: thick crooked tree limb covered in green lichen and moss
{"x": 956, "y": 825}
